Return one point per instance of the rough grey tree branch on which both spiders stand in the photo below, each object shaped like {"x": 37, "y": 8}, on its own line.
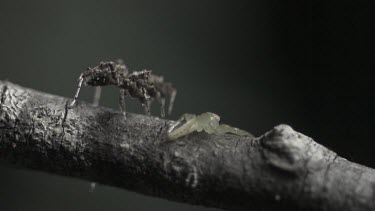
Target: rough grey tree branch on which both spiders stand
{"x": 282, "y": 169}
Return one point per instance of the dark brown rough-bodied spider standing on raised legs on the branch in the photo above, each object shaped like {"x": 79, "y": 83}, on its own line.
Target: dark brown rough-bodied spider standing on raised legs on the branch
{"x": 140, "y": 84}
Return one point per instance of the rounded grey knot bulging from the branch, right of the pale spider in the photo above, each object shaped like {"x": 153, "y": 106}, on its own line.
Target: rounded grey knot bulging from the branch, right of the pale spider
{"x": 285, "y": 149}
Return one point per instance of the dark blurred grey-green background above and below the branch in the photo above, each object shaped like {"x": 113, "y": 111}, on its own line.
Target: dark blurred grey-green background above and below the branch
{"x": 255, "y": 63}
